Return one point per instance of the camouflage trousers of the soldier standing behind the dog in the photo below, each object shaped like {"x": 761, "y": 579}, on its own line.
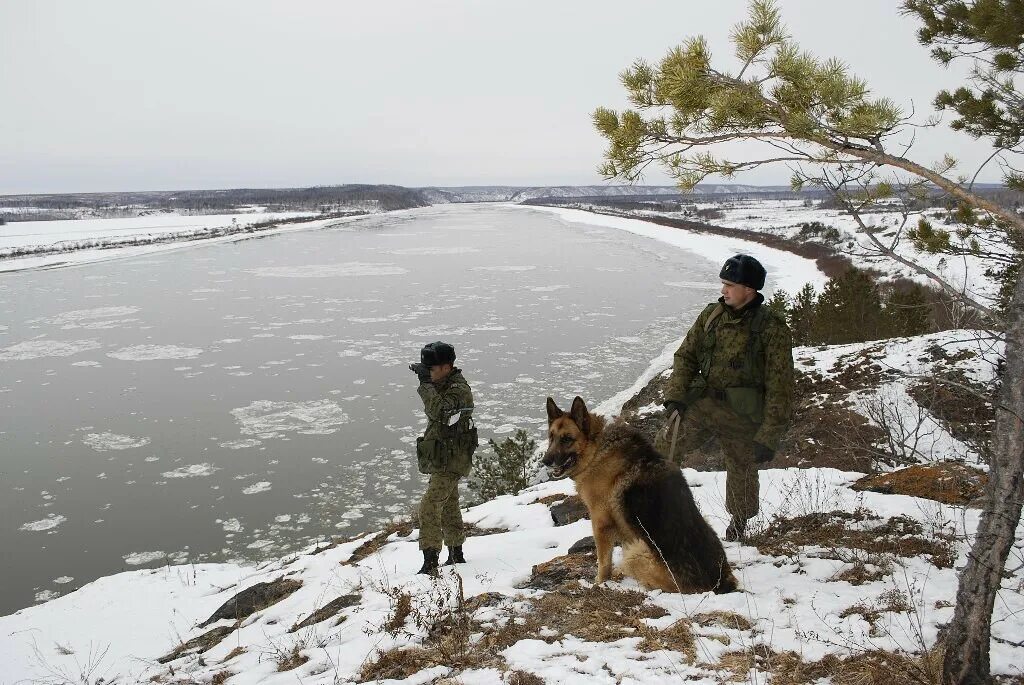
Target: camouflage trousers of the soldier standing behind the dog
{"x": 706, "y": 421}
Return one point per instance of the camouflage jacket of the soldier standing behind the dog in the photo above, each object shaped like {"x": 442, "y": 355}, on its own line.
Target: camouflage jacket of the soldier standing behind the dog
{"x": 718, "y": 362}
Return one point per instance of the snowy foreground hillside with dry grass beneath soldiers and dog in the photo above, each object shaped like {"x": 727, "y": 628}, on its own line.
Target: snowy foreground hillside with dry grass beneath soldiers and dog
{"x": 837, "y": 582}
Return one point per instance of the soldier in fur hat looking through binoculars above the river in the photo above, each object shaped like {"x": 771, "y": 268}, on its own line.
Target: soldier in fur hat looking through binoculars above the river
{"x": 445, "y": 452}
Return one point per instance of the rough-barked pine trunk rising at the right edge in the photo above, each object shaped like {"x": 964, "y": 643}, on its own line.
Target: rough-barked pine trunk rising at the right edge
{"x": 969, "y": 636}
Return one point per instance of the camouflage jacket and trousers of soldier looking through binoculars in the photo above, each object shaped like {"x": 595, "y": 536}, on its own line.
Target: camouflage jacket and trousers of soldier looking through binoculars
{"x": 446, "y": 454}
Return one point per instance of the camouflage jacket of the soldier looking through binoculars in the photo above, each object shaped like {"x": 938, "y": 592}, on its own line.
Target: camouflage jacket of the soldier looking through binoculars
{"x": 446, "y": 443}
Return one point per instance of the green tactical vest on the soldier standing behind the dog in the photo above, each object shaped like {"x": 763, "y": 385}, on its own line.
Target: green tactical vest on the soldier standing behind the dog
{"x": 748, "y": 400}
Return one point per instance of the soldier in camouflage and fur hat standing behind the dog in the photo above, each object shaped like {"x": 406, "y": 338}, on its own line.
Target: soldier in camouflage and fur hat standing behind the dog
{"x": 733, "y": 380}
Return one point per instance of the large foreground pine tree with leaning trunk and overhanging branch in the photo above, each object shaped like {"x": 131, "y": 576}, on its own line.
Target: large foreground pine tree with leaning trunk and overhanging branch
{"x": 823, "y": 123}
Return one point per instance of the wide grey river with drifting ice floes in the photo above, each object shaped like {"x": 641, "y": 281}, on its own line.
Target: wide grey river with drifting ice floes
{"x": 239, "y": 401}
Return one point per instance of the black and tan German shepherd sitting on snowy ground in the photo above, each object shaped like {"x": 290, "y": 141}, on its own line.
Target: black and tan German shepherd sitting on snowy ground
{"x": 639, "y": 499}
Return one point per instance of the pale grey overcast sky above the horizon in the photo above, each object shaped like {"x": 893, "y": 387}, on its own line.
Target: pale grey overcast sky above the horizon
{"x": 117, "y": 96}
